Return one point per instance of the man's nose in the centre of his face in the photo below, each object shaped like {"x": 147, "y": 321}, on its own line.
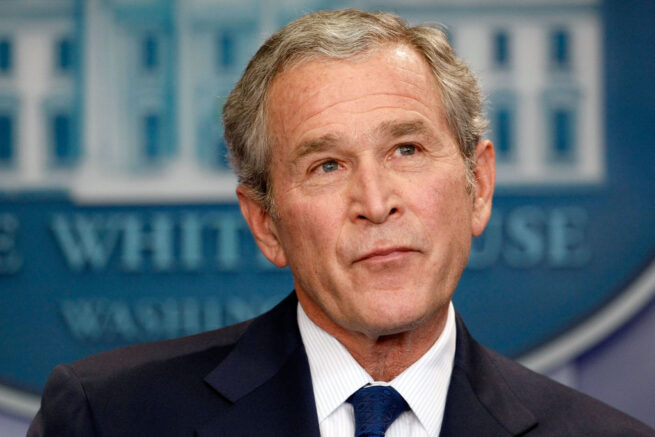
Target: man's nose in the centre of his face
{"x": 373, "y": 196}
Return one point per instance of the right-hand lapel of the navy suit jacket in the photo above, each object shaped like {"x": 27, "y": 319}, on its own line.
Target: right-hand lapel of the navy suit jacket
{"x": 479, "y": 402}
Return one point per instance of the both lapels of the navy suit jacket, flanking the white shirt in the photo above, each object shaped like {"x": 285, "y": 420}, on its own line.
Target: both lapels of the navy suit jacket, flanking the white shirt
{"x": 267, "y": 380}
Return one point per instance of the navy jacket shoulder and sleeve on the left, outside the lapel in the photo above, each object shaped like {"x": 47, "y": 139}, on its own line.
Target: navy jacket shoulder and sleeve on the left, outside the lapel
{"x": 154, "y": 388}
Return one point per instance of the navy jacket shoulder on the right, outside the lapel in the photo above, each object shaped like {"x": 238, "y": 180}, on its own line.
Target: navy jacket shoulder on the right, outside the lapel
{"x": 560, "y": 409}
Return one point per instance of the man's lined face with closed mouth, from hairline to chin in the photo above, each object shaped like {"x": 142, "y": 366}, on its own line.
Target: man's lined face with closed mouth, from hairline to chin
{"x": 372, "y": 210}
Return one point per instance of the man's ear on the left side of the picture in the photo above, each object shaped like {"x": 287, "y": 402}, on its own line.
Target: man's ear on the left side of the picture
{"x": 262, "y": 227}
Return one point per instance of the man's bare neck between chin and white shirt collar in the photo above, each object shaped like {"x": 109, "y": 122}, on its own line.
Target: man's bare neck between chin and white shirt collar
{"x": 383, "y": 356}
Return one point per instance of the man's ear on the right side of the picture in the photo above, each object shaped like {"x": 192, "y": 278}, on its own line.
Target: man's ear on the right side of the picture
{"x": 485, "y": 180}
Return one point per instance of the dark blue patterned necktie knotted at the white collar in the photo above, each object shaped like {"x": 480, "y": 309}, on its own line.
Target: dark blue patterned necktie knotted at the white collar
{"x": 376, "y": 407}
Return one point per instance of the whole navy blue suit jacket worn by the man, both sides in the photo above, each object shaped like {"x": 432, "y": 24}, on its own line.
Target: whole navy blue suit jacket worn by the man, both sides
{"x": 253, "y": 379}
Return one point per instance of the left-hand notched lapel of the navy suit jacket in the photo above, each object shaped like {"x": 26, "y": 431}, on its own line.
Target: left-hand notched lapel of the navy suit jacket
{"x": 267, "y": 381}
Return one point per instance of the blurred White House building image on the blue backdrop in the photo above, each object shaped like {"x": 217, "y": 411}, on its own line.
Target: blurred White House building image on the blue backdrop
{"x": 119, "y": 101}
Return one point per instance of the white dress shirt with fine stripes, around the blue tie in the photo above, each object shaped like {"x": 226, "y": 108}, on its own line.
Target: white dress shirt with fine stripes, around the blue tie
{"x": 336, "y": 375}
